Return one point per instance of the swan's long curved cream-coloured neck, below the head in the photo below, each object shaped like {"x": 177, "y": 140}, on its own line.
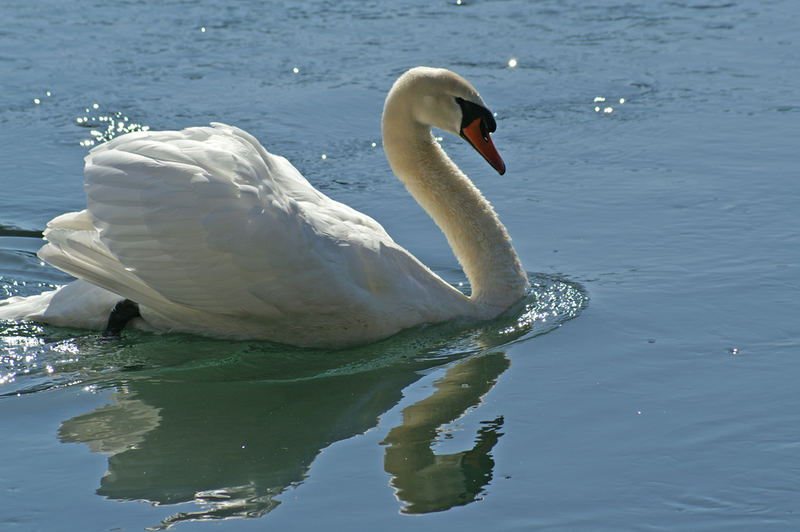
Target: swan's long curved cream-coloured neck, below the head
{"x": 480, "y": 242}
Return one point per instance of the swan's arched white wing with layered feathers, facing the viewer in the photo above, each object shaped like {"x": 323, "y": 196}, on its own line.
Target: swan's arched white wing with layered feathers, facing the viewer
{"x": 207, "y": 219}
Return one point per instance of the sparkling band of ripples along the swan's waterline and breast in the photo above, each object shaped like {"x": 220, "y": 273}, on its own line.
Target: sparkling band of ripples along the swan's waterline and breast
{"x": 36, "y": 357}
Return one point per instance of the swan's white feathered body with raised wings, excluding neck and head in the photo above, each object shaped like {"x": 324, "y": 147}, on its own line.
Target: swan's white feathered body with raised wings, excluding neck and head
{"x": 210, "y": 233}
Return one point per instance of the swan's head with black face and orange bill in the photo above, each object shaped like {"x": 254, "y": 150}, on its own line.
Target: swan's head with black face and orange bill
{"x": 440, "y": 98}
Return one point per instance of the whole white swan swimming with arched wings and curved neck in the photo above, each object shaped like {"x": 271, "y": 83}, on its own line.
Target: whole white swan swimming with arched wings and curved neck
{"x": 211, "y": 234}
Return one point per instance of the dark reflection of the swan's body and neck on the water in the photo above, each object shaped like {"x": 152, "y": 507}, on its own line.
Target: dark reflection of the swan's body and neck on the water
{"x": 232, "y": 447}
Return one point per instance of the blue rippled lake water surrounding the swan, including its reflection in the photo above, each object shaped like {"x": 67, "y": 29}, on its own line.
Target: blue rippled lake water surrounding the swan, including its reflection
{"x": 652, "y": 192}
